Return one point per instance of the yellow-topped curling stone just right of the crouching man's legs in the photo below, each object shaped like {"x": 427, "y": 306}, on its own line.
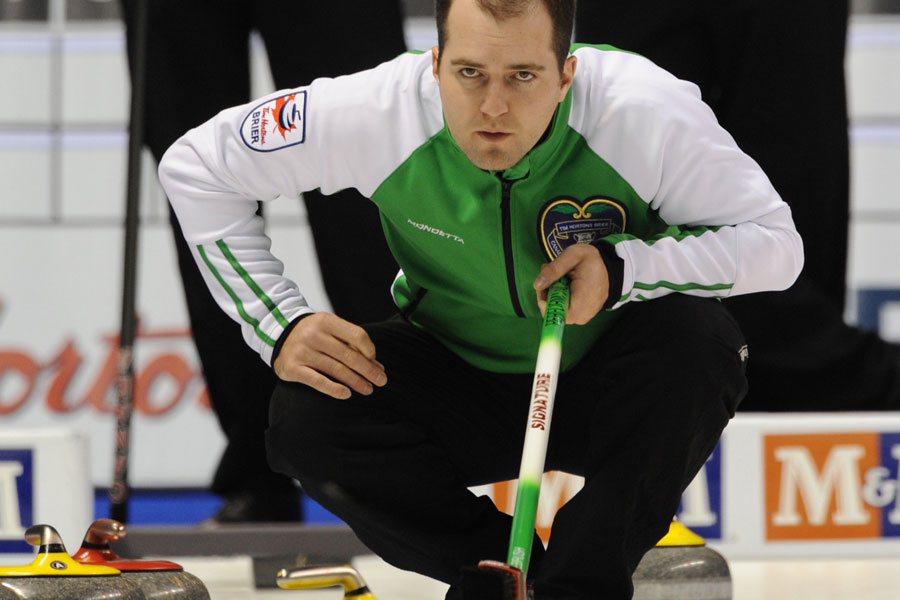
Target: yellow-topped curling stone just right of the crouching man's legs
{"x": 682, "y": 567}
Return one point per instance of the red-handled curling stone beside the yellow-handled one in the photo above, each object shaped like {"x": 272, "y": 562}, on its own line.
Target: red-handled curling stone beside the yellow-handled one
{"x": 155, "y": 578}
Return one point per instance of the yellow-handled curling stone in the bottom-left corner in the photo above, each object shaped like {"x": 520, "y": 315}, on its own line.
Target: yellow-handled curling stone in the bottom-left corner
{"x": 54, "y": 575}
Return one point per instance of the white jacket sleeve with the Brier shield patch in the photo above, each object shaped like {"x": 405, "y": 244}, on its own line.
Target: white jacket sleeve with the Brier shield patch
{"x": 329, "y": 135}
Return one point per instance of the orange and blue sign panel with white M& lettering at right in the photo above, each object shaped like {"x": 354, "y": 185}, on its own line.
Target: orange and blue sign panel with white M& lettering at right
{"x": 832, "y": 486}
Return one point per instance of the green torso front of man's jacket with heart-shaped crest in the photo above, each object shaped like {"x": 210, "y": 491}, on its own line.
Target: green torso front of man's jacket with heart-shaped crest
{"x": 450, "y": 223}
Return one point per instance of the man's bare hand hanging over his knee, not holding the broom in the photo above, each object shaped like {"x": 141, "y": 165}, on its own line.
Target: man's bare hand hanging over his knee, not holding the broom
{"x": 330, "y": 355}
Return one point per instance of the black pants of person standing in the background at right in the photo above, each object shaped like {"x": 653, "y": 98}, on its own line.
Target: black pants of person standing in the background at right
{"x": 773, "y": 72}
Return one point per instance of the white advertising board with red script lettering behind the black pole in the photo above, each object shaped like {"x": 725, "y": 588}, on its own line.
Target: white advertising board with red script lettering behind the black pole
{"x": 60, "y": 314}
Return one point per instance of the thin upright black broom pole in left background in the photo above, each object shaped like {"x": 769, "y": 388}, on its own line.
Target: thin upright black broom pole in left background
{"x": 118, "y": 494}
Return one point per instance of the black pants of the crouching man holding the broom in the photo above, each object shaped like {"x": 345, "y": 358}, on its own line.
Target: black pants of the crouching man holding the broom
{"x": 637, "y": 417}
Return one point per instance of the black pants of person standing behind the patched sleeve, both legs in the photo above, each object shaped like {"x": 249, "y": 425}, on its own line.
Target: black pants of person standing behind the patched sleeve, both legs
{"x": 197, "y": 64}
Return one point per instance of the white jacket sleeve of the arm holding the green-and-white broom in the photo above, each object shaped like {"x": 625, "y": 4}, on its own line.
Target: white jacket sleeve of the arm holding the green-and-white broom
{"x": 732, "y": 233}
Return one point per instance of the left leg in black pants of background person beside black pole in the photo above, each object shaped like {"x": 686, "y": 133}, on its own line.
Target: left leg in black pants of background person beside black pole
{"x": 188, "y": 83}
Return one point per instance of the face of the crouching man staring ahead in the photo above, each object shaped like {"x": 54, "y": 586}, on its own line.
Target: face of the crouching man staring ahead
{"x": 499, "y": 82}
